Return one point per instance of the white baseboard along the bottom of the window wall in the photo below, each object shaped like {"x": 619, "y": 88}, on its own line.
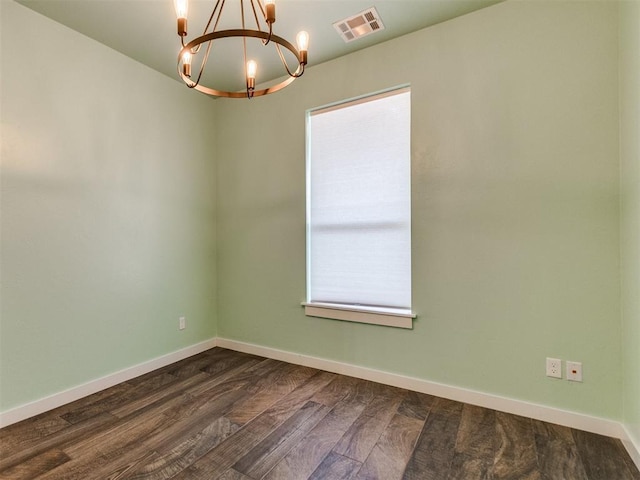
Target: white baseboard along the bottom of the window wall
{"x": 518, "y": 407}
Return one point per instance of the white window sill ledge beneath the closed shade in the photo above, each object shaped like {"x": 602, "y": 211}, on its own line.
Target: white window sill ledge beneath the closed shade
{"x": 376, "y": 316}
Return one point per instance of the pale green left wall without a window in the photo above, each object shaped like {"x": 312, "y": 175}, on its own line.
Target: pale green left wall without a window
{"x": 107, "y": 210}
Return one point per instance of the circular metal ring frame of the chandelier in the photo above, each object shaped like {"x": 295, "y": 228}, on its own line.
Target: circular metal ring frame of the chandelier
{"x": 243, "y": 33}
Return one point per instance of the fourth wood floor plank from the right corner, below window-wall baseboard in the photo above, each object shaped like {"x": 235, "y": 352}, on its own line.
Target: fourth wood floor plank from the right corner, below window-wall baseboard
{"x": 475, "y": 447}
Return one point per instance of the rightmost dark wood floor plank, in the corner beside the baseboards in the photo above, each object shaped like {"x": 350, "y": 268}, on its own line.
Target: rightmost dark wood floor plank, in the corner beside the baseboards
{"x": 600, "y": 457}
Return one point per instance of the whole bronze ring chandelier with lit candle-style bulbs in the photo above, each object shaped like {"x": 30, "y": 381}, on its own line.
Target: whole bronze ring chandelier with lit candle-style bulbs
{"x": 264, "y": 14}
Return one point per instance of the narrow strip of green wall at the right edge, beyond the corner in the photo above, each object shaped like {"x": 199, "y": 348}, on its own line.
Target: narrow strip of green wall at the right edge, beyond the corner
{"x": 630, "y": 215}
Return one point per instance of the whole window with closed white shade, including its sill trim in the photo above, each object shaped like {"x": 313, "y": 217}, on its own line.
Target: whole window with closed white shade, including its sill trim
{"x": 359, "y": 210}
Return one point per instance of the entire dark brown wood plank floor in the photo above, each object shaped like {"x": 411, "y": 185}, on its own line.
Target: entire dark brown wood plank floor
{"x": 232, "y": 416}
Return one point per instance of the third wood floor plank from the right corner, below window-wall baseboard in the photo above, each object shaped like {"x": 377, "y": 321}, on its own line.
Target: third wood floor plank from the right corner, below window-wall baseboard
{"x": 516, "y": 456}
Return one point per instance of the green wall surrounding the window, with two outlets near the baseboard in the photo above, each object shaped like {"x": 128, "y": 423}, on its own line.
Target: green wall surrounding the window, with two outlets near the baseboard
{"x": 515, "y": 206}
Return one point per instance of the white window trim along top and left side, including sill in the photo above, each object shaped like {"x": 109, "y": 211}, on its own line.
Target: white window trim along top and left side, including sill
{"x": 389, "y": 317}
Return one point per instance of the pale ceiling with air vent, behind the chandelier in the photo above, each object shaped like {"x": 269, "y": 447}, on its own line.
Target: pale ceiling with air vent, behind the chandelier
{"x": 145, "y": 30}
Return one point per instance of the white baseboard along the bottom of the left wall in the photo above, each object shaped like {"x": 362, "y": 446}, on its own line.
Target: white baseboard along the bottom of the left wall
{"x": 58, "y": 399}
